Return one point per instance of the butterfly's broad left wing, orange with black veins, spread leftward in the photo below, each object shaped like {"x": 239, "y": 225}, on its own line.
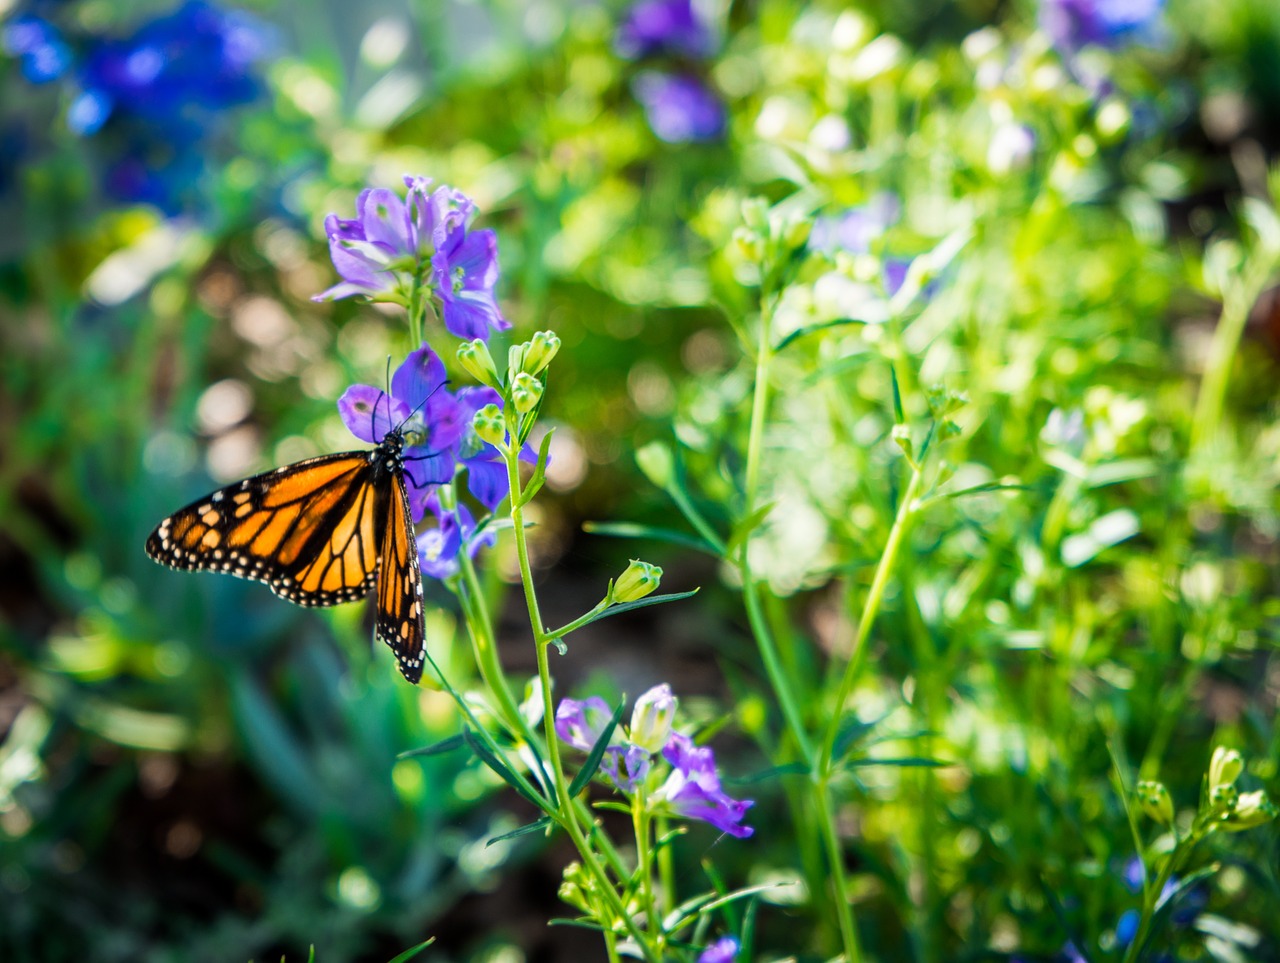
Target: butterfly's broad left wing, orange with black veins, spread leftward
{"x": 309, "y": 531}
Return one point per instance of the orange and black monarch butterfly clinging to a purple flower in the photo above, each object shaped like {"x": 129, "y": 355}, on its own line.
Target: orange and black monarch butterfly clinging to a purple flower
{"x": 319, "y": 532}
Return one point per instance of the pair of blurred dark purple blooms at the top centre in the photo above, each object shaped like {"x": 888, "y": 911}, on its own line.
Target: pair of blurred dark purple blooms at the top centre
{"x": 679, "y": 106}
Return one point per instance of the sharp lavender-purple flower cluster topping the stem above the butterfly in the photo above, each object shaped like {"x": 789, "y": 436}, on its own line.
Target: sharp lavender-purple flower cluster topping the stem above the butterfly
{"x": 392, "y": 247}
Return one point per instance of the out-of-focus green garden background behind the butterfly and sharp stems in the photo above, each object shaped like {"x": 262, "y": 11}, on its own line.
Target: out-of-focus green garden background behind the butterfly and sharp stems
{"x": 193, "y": 770}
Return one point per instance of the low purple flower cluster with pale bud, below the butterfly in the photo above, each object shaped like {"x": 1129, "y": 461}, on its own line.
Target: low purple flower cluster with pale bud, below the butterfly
{"x": 692, "y": 787}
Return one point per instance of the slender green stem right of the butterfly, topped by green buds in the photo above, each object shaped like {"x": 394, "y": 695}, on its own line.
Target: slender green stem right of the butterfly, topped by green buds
{"x": 569, "y": 814}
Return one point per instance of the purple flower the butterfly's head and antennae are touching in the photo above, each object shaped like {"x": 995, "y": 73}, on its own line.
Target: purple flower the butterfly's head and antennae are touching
{"x": 428, "y": 417}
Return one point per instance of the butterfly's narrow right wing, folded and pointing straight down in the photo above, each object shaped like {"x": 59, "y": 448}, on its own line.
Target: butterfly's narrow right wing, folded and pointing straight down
{"x": 399, "y": 619}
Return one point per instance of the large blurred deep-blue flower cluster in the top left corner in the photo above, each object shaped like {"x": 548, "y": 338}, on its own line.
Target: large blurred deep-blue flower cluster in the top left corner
{"x": 153, "y": 99}
